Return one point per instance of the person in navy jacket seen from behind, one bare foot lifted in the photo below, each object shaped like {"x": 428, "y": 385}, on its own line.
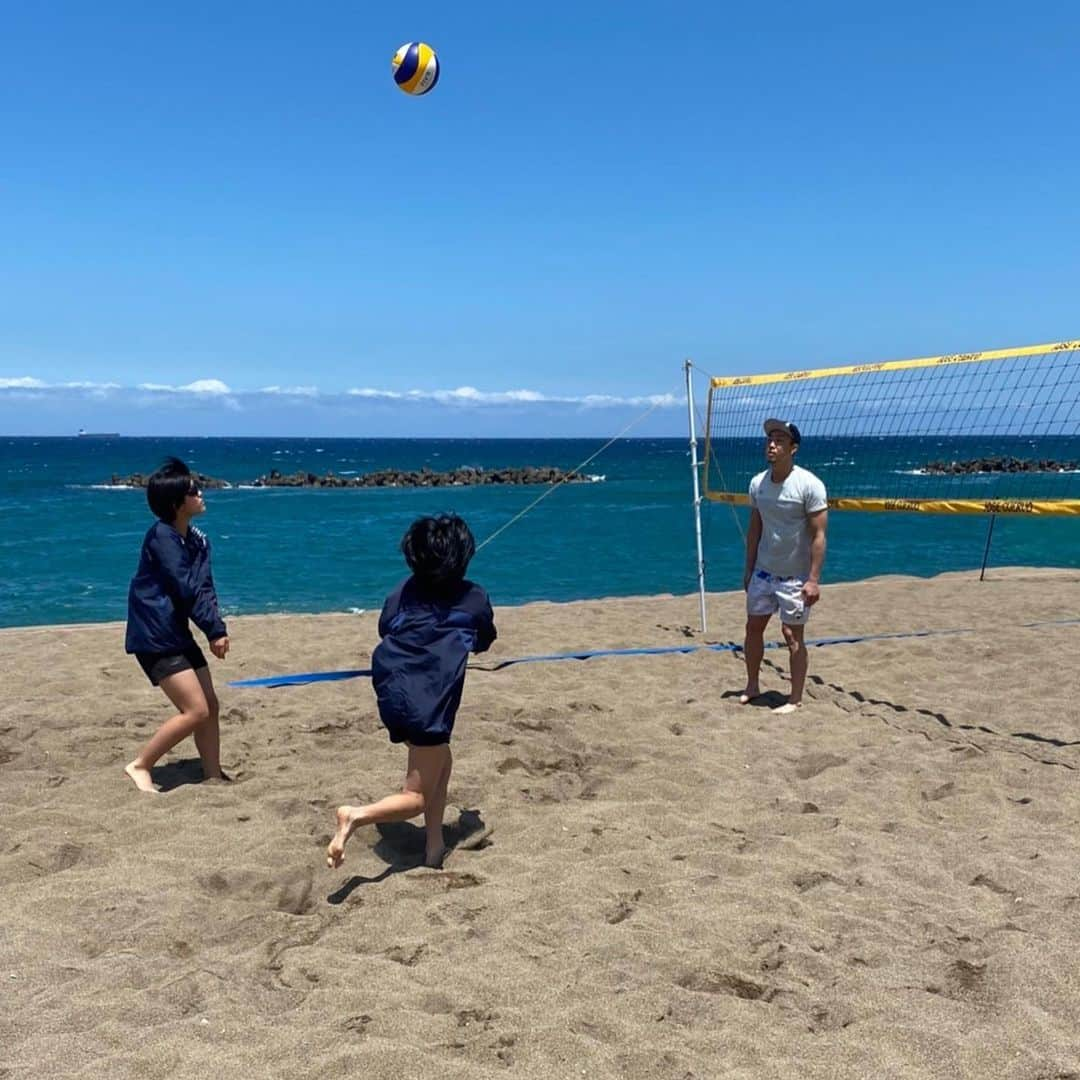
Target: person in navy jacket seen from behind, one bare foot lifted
{"x": 429, "y": 626}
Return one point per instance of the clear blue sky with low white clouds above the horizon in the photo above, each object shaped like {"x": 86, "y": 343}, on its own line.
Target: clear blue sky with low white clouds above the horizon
{"x": 227, "y": 220}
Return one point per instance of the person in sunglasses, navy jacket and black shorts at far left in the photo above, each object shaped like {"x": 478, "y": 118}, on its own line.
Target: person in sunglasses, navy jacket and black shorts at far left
{"x": 172, "y": 586}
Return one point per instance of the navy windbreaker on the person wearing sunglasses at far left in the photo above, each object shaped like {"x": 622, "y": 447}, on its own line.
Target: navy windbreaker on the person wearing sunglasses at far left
{"x": 172, "y": 585}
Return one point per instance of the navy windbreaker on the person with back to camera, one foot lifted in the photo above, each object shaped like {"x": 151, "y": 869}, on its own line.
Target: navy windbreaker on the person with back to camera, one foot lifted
{"x": 418, "y": 669}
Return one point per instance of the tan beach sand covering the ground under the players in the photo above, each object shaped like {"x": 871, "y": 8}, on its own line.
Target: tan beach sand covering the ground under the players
{"x": 884, "y": 885}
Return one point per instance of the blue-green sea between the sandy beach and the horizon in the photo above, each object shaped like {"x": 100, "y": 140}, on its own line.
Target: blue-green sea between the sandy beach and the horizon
{"x": 70, "y": 545}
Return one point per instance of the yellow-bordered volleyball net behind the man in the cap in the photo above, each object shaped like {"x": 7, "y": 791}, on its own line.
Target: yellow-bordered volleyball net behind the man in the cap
{"x": 968, "y": 434}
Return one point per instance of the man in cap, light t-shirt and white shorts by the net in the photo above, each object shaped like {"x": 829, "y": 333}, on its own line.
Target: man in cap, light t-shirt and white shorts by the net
{"x": 786, "y": 551}
